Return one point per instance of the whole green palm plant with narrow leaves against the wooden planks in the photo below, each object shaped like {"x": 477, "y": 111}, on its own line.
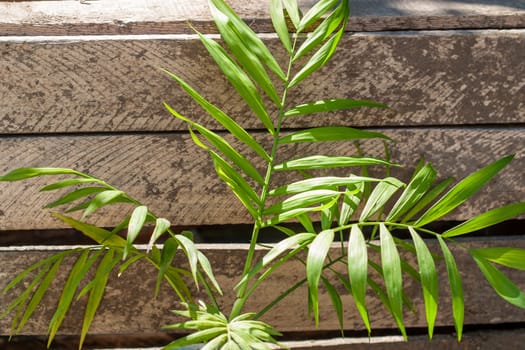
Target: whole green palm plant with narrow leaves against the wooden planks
{"x": 332, "y": 197}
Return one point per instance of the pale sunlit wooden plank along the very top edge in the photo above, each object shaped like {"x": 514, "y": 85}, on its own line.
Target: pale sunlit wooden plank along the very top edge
{"x": 157, "y": 16}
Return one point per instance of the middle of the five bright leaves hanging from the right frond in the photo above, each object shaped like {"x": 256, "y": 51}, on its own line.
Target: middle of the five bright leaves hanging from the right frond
{"x": 391, "y": 265}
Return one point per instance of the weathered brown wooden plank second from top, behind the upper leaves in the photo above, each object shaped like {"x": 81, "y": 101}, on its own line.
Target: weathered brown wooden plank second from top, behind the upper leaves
{"x": 100, "y": 84}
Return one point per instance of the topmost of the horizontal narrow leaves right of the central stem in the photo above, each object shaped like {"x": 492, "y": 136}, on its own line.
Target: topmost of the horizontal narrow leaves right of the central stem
{"x": 329, "y": 106}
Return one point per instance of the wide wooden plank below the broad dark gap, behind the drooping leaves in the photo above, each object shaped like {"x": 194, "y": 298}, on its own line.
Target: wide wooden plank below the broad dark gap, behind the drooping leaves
{"x": 128, "y": 307}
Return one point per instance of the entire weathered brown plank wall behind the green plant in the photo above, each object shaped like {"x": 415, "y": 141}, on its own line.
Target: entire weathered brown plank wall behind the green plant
{"x": 80, "y": 87}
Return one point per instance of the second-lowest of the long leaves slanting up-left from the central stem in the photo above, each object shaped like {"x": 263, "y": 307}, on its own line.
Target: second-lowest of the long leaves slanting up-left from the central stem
{"x": 222, "y": 146}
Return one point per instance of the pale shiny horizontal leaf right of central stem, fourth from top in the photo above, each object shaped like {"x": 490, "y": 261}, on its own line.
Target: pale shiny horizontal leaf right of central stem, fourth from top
{"x": 323, "y": 182}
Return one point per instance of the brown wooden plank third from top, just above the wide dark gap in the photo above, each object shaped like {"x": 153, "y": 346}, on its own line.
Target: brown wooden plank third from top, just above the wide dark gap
{"x": 175, "y": 178}
